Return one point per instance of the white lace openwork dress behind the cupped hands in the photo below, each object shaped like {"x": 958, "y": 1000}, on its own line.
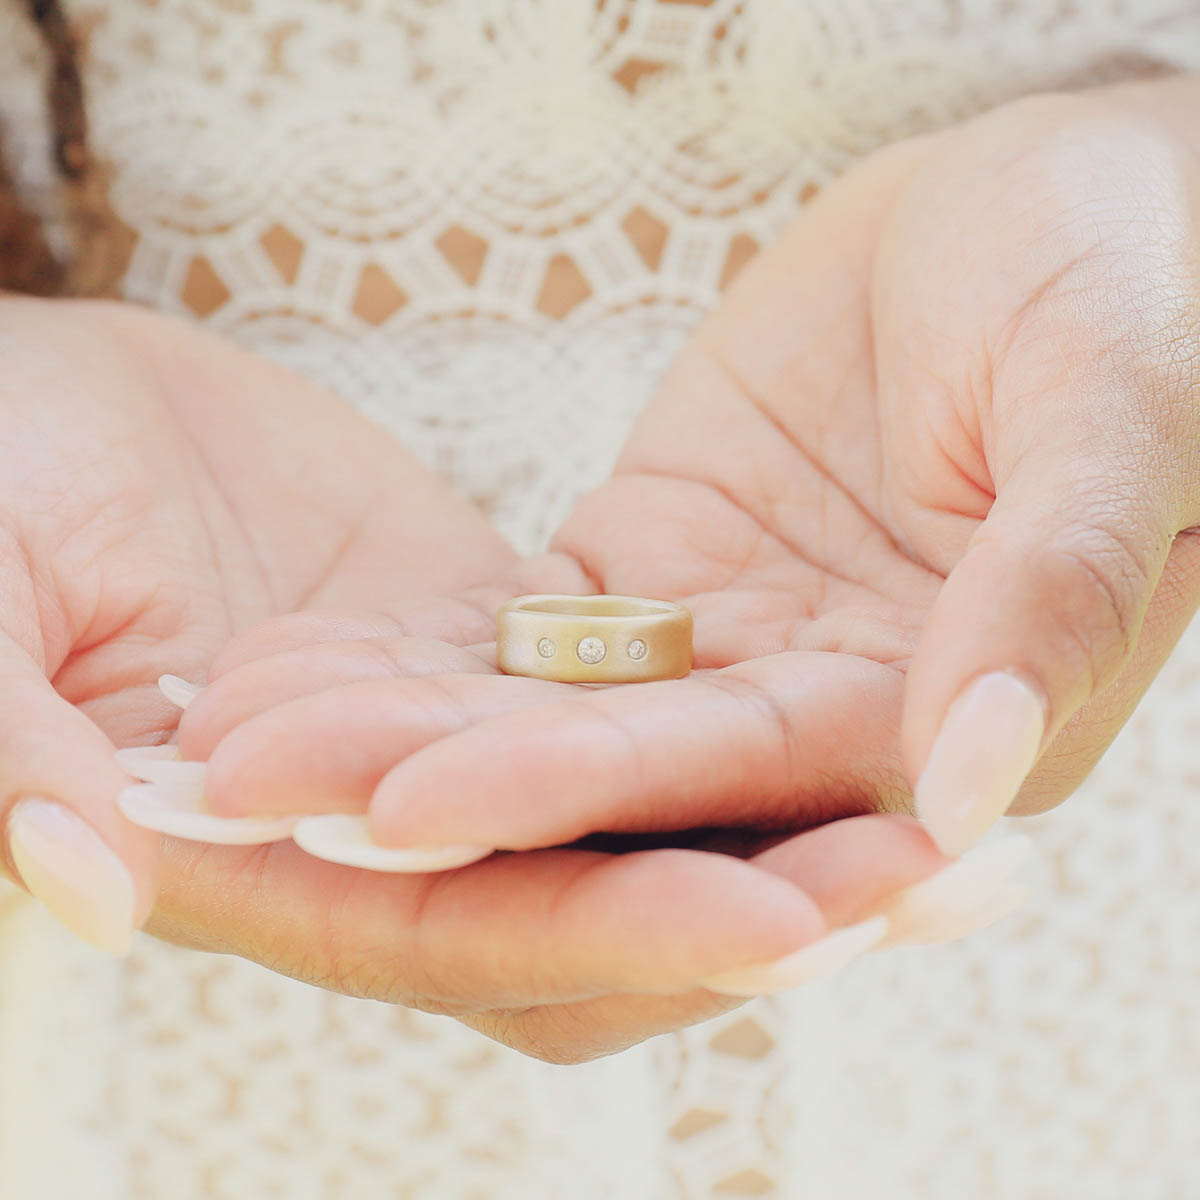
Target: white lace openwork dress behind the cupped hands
{"x": 490, "y": 224}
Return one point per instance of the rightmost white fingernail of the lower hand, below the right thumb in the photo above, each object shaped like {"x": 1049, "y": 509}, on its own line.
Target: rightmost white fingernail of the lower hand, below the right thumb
{"x": 959, "y": 899}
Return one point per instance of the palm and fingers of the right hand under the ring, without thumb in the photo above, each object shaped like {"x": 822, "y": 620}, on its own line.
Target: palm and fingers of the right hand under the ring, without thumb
{"x": 752, "y": 490}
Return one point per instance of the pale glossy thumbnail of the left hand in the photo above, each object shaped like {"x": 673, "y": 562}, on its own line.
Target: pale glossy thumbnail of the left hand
{"x": 73, "y": 871}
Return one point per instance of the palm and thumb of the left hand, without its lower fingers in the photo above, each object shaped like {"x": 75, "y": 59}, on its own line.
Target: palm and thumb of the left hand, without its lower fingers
{"x": 161, "y": 491}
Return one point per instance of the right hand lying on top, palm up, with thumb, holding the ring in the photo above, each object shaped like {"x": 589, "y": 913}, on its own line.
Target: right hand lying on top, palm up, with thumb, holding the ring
{"x": 927, "y": 481}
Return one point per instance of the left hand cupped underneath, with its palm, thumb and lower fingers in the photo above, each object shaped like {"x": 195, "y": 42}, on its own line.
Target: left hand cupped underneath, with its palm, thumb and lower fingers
{"x": 164, "y": 491}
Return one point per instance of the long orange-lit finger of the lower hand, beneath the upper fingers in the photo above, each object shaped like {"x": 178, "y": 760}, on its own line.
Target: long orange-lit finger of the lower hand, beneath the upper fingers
{"x": 511, "y": 932}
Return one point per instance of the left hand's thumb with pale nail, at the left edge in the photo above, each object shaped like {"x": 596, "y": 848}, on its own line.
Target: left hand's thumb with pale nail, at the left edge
{"x": 64, "y": 838}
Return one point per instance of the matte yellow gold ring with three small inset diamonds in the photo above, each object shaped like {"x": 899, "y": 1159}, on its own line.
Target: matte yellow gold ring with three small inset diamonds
{"x": 595, "y": 639}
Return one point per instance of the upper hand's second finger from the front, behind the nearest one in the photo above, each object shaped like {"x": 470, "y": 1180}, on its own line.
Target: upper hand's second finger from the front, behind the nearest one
{"x": 327, "y": 753}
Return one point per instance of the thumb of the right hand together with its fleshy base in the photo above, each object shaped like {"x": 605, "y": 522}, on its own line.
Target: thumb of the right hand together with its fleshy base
{"x": 1064, "y": 418}
